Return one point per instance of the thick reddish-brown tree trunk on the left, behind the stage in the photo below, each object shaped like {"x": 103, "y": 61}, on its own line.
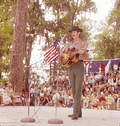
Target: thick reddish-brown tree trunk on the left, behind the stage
{"x": 18, "y": 46}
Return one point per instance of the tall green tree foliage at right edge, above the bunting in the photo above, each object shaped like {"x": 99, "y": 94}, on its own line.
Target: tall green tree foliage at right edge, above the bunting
{"x": 107, "y": 45}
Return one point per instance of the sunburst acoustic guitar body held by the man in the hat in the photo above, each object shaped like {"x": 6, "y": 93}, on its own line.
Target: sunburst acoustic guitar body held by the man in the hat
{"x": 69, "y": 57}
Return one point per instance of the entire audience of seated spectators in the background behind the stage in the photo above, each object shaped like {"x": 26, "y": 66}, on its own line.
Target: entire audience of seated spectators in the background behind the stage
{"x": 98, "y": 92}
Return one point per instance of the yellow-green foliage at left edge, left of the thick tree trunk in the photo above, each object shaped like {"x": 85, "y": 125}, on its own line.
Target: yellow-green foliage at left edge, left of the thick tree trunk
{"x": 6, "y": 32}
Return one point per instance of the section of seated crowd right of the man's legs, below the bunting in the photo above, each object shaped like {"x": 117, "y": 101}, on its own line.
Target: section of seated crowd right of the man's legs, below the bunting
{"x": 102, "y": 90}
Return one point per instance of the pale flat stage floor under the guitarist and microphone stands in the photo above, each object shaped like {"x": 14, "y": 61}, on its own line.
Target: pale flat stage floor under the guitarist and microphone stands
{"x": 12, "y": 115}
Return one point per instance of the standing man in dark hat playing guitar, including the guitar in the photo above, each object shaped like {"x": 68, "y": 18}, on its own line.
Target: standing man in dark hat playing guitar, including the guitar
{"x": 74, "y": 62}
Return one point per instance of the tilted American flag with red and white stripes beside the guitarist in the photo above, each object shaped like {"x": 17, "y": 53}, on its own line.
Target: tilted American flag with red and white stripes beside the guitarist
{"x": 52, "y": 53}
